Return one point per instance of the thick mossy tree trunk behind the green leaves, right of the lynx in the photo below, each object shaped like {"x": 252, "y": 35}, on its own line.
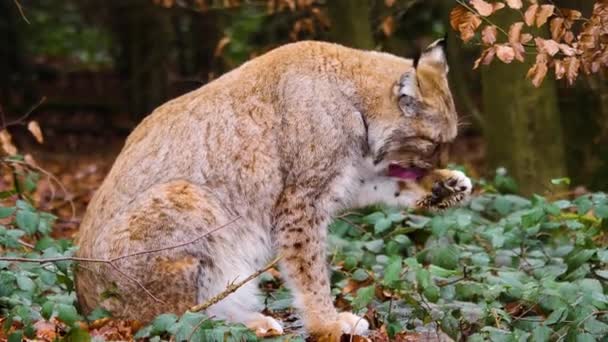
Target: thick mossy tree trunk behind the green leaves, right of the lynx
{"x": 522, "y": 123}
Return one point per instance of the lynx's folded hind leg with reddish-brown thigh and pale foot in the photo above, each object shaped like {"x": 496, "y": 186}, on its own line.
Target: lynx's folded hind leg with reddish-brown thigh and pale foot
{"x": 166, "y": 215}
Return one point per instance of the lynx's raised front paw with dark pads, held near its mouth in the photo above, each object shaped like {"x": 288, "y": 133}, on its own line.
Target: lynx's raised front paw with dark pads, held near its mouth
{"x": 453, "y": 188}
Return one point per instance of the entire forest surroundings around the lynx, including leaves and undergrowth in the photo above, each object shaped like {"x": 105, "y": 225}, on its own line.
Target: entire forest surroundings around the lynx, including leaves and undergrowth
{"x": 76, "y": 76}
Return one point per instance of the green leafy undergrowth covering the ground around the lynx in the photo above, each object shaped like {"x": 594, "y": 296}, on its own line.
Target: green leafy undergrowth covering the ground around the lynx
{"x": 501, "y": 268}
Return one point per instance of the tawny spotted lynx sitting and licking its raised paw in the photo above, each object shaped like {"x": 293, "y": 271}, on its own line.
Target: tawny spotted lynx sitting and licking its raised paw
{"x": 282, "y": 143}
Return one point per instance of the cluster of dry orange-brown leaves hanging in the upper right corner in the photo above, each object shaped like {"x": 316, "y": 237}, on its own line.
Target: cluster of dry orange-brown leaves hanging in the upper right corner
{"x": 566, "y": 52}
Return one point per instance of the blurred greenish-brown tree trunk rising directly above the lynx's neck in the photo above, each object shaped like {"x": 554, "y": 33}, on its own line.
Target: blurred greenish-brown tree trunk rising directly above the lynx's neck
{"x": 350, "y": 23}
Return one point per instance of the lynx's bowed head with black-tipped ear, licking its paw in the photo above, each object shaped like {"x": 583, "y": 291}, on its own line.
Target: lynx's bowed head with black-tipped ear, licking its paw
{"x": 410, "y": 138}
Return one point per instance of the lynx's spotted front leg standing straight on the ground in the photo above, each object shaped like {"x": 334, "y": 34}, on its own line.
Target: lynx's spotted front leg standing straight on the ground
{"x": 301, "y": 233}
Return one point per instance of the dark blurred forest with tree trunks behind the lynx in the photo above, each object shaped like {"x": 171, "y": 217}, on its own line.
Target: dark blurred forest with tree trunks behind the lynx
{"x": 99, "y": 67}
